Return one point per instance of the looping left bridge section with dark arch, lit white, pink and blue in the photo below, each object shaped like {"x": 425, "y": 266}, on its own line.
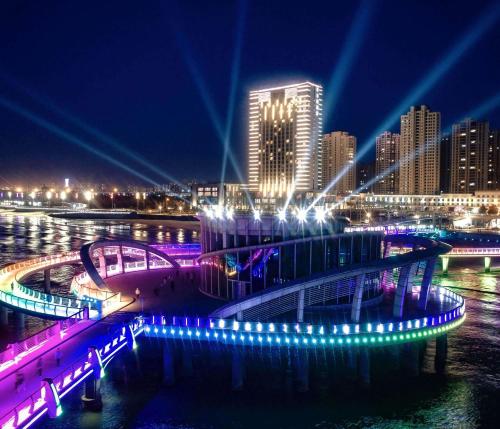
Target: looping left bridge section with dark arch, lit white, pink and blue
{"x": 89, "y": 289}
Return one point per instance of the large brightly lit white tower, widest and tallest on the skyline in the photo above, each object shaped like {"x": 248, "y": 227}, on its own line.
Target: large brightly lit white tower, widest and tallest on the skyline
{"x": 284, "y": 151}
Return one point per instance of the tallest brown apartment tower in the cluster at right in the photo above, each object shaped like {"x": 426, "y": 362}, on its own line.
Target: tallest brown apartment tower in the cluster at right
{"x": 419, "y": 151}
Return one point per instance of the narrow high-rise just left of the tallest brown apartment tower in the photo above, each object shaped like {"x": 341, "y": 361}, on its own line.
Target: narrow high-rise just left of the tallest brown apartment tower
{"x": 387, "y": 155}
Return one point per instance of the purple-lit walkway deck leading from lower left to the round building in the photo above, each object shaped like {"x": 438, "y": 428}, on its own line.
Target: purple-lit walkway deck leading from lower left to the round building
{"x": 184, "y": 298}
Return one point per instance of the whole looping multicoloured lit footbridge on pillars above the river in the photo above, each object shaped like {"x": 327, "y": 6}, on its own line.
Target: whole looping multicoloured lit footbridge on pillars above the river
{"x": 299, "y": 314}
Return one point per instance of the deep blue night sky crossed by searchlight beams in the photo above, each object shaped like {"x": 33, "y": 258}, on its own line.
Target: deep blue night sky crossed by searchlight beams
{"x": 133, "y": 71}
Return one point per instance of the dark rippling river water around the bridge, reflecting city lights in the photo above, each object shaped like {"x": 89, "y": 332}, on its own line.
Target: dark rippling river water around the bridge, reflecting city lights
{"x": 468, "y": 395}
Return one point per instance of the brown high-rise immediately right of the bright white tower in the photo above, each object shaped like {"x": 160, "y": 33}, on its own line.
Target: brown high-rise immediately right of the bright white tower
{"x": 339, "y": 149}
